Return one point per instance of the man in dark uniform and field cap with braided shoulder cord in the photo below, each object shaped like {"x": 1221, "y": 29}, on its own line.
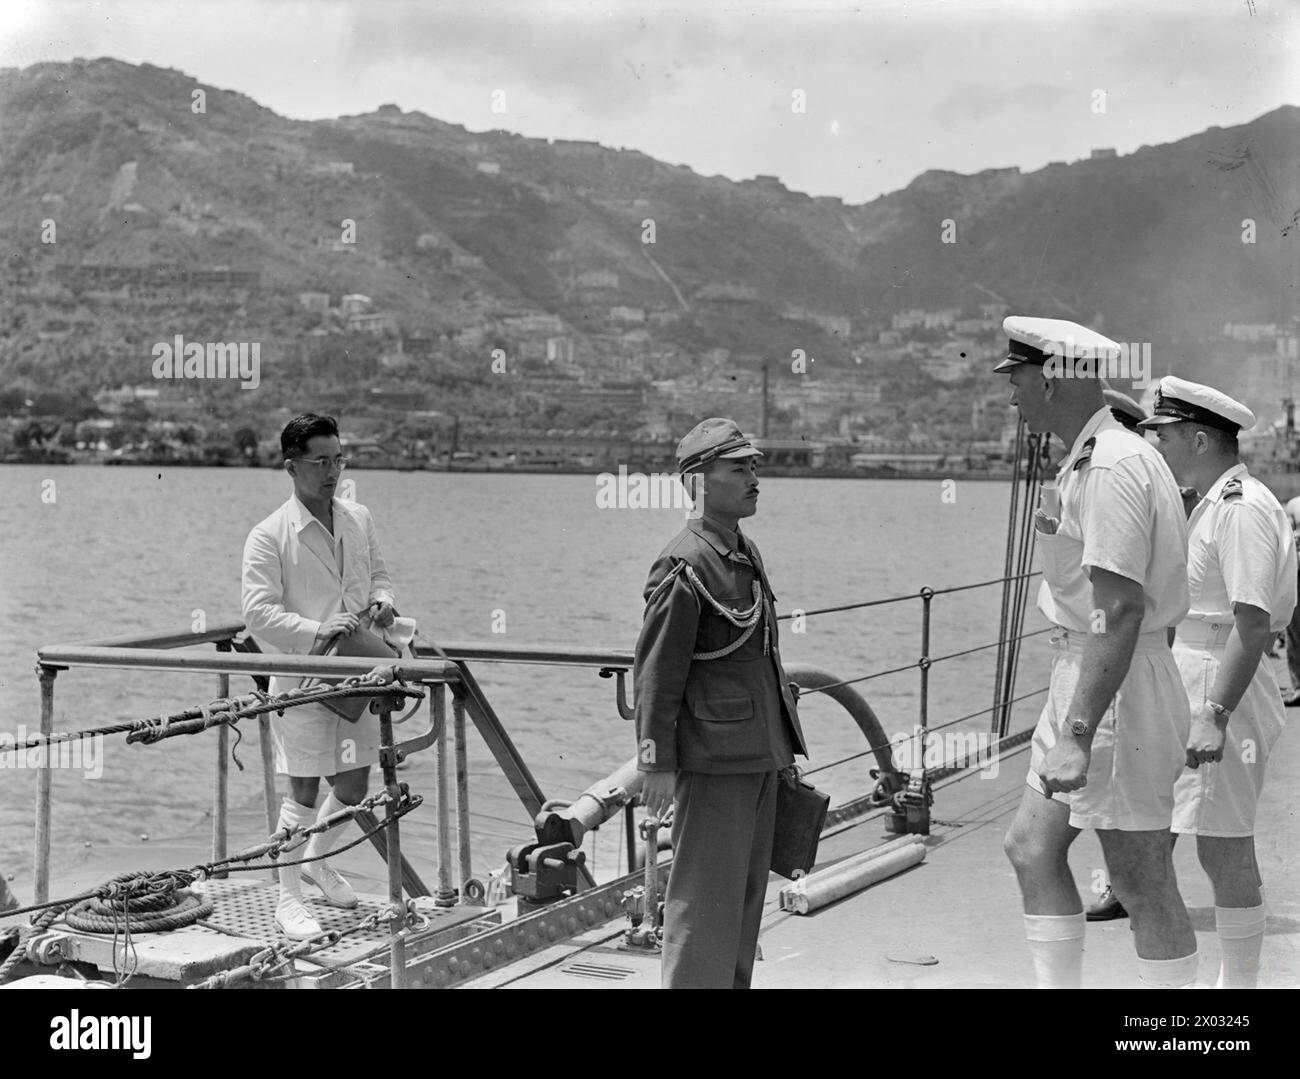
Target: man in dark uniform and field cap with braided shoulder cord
{"x": 716, "y": 718}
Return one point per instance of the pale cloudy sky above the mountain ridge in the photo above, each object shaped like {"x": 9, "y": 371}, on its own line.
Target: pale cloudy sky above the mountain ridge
{"x": 889, "y": 88}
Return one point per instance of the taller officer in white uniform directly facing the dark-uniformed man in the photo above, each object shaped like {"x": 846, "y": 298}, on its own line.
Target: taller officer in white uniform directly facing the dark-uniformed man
{"x": 1111, "y": 742}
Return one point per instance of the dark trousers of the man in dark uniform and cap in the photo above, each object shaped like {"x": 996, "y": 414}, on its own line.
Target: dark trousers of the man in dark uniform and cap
{"x": 722, "y": 853}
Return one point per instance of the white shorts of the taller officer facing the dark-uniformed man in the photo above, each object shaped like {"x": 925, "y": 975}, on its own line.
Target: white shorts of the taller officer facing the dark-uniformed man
{"x": 1138, "y": 749}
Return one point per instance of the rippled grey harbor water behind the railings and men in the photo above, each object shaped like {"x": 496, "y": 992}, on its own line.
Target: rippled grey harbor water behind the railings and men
{"x": 493, "y": 558}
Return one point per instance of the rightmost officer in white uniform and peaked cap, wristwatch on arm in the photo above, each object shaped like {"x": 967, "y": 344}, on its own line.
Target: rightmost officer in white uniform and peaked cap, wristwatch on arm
{"x": 1242, "y": 577}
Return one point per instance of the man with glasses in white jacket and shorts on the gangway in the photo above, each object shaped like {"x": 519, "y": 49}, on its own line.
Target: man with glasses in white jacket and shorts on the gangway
{"x": 310, "y": 571}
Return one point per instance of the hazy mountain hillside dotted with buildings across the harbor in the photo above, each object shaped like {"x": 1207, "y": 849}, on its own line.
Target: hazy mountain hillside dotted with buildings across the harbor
{"x": 471, "y": 242}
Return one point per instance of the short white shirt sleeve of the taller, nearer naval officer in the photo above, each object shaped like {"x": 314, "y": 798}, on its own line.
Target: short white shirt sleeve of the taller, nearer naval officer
{"x": 1116, "y": 521}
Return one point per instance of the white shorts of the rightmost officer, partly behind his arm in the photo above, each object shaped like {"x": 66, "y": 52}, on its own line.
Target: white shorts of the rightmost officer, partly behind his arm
{"x": 1220, "y": 800}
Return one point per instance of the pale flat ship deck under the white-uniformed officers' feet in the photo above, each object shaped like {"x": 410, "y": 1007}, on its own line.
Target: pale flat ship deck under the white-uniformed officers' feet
{"x": 955, "y": 921}
